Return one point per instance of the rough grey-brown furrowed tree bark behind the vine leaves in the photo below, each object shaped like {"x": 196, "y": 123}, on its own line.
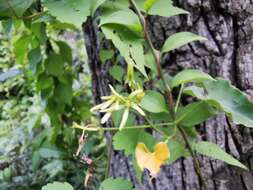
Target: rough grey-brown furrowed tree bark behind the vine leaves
{"x": 228, "y": 53}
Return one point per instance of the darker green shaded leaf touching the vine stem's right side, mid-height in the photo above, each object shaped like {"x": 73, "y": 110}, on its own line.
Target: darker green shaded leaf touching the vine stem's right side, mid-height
{"x": 195, "y": 113}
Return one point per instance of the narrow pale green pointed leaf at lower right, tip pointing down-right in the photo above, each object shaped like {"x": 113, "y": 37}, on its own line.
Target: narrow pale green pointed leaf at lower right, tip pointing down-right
{"x": 214, "y": 151}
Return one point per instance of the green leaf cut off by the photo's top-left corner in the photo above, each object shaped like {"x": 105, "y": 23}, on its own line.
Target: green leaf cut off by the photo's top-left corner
{"x": 14, "y": 8}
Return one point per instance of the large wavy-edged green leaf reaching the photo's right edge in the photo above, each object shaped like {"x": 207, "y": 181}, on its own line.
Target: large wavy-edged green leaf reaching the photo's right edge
{"x": 221, "y": 94}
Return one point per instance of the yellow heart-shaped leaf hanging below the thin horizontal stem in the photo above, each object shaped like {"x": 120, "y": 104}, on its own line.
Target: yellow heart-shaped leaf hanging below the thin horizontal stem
{"x": 152, "y": 160}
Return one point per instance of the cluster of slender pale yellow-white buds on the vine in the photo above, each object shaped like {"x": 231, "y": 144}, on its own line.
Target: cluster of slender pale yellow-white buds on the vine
{"x": 116, "y": 102}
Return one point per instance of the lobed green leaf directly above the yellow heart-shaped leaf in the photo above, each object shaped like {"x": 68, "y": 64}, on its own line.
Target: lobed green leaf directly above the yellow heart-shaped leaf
{"x": 127, "y": 140}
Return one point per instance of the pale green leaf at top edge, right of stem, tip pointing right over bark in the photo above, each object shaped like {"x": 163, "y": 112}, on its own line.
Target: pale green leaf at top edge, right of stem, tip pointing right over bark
{"x": 164, "y": 8}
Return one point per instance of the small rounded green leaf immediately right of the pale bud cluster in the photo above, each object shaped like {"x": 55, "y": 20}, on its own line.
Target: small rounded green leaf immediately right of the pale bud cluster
{"x": 154, "y": 102}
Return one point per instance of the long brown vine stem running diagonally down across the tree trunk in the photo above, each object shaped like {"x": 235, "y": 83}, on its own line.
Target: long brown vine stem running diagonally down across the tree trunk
{"x": 157, "y": 57}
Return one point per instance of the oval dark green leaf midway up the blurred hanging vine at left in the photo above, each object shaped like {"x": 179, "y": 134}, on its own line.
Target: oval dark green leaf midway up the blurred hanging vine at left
{"x": 54, "y": 64}
